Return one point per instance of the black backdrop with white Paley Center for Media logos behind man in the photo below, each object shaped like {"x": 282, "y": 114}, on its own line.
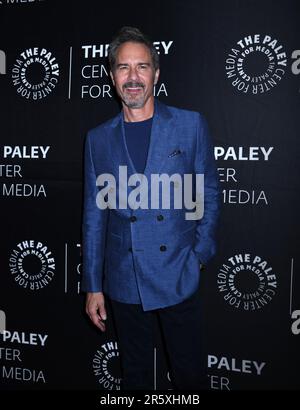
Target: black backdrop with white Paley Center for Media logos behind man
{"x": 236, "y": 62}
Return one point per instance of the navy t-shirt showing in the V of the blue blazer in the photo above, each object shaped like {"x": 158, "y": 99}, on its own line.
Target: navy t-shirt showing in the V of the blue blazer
{"x": 137, "y": 136}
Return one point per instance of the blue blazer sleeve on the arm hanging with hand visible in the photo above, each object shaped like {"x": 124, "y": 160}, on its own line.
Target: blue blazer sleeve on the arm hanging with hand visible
{"x": 93, "y": 228}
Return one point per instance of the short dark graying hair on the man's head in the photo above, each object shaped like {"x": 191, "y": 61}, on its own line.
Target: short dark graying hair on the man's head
{"x": 134, "y": 35}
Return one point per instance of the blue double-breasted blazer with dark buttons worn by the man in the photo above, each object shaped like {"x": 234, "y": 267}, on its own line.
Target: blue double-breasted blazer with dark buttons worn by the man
{"x": 149, "y": 256}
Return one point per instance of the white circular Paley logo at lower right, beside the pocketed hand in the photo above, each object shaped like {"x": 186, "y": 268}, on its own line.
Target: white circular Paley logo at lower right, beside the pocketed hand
{"x": 247, "y": 282}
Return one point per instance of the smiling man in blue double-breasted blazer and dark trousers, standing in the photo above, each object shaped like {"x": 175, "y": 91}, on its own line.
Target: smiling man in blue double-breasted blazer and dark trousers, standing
{"x": 145, "y": 258}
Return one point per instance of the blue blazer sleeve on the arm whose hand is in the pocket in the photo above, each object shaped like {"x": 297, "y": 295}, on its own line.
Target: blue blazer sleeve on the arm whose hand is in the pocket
{"x": 205, "y": 244}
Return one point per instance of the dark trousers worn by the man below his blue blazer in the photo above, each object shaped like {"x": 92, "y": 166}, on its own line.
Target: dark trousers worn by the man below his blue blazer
{"x": 182, "y": 333}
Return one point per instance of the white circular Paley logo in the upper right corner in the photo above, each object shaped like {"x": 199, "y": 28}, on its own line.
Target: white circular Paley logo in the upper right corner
{"x": 256, "y": 64}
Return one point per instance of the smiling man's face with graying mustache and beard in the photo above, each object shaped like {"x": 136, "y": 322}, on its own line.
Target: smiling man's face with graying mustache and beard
{"x": 134, "y": 75}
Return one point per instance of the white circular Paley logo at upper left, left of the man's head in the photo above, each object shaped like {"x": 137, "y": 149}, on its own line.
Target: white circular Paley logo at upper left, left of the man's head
{"x": 35, "y": 73}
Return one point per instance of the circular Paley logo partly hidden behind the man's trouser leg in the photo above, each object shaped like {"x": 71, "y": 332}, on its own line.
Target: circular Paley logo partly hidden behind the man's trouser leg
{"x": 106, "y": 366}
